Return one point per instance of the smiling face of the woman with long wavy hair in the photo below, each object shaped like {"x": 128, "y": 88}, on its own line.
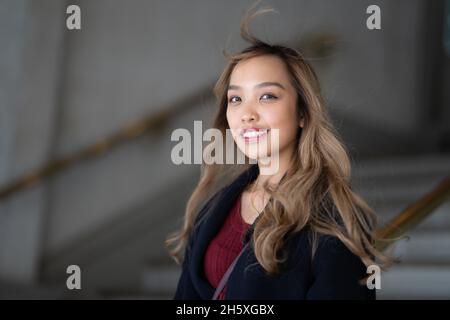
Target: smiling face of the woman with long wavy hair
{"x": 261, "y": 98}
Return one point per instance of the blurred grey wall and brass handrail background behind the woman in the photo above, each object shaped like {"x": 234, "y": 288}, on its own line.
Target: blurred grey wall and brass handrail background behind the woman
{"x": 86, "y": 117}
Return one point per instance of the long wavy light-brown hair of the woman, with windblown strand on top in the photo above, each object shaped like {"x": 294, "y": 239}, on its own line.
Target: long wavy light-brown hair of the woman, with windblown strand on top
{"x": 315, "y": 192}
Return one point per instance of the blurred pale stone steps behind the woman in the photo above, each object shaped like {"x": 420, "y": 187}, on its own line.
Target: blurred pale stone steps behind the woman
{"x": 389, "y": 185}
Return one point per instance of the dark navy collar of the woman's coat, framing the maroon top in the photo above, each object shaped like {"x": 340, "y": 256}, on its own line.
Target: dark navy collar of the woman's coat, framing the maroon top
{"x": 213, "y": 220}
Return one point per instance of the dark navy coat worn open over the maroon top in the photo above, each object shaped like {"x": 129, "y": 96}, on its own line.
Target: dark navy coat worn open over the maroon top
{"x": 334, "y": 273}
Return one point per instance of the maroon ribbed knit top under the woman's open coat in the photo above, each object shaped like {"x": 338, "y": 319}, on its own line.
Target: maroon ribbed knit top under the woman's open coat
{"x": 225, "y": 247}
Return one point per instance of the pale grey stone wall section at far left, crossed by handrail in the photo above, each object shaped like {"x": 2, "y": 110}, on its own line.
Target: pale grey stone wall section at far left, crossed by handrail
{"x": 31, "y": 42}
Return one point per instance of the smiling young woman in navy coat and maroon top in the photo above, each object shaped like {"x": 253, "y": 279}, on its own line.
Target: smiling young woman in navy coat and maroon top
{"x": 300, "y": 233}
